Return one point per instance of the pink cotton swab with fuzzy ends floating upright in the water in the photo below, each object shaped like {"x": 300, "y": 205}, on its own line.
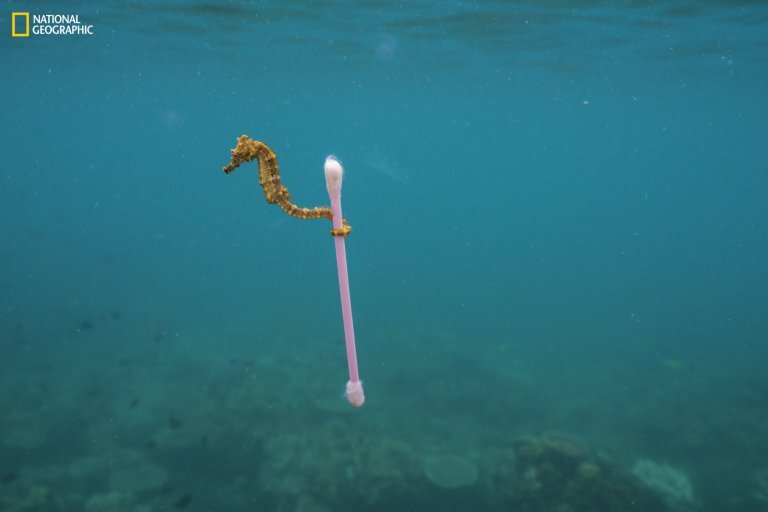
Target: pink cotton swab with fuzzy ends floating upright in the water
{"x": 333, "y": 177}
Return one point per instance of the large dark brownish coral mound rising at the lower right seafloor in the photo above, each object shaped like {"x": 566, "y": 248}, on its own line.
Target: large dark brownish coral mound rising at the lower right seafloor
{"x": 553, "y": 473}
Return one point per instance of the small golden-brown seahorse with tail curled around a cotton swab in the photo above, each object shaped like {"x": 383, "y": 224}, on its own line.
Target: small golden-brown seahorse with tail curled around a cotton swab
{"x": 247, "y": 150}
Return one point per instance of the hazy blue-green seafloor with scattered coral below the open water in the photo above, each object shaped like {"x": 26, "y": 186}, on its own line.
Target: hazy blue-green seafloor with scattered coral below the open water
{"x": 231, "y": 421}
